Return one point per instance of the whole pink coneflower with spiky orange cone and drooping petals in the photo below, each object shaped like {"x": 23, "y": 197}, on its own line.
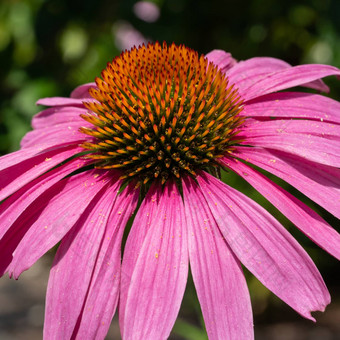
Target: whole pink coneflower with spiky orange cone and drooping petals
{"x": 152, "y": 137}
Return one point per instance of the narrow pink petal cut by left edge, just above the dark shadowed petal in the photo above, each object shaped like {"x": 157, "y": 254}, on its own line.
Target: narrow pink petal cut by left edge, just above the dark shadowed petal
{"x": 13, "y": 207}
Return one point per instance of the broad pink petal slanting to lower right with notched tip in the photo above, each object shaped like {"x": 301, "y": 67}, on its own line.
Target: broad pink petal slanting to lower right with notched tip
{"x": 266, "y": 248}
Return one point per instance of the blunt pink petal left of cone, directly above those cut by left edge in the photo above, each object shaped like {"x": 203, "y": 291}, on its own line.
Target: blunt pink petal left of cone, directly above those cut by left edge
{"x": 57, "y": 135}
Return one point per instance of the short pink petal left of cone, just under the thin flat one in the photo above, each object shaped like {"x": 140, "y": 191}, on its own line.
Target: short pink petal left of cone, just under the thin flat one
{"x": 58, "y": 115}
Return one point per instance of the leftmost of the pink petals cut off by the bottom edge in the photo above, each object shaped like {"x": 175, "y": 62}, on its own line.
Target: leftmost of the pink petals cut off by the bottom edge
{"x": 67, "y": 289}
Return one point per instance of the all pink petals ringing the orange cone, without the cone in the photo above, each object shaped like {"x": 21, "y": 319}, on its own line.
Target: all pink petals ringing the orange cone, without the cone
{"x": 52, "y": 195}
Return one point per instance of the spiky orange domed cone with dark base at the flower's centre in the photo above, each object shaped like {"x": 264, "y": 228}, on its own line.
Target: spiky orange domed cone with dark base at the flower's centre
{"x": 160, "y": 112}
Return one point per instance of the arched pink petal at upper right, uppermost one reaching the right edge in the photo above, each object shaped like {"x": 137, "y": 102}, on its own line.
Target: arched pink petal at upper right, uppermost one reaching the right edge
{"x": 287, "y": 78}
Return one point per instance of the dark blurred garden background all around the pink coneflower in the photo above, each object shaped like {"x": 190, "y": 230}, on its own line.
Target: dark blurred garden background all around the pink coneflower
{"x": 48, "y": 47}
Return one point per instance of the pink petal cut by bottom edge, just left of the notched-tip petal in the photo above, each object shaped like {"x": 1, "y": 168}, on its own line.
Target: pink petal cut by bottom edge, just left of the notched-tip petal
{"x": 217, "y": 274}
